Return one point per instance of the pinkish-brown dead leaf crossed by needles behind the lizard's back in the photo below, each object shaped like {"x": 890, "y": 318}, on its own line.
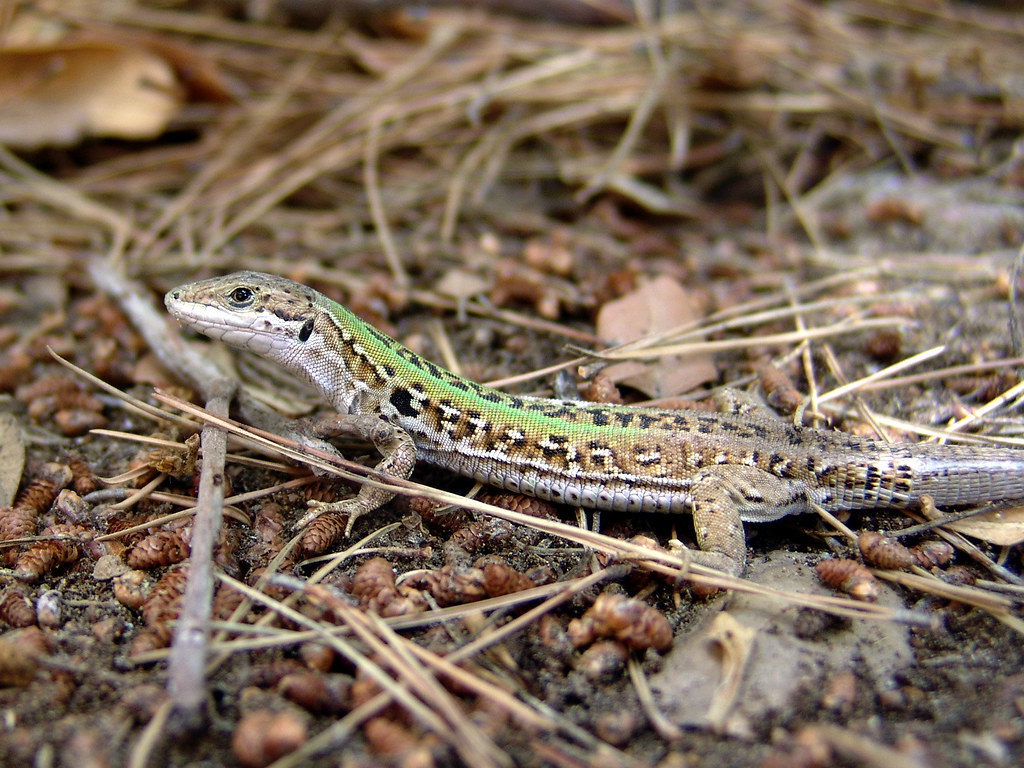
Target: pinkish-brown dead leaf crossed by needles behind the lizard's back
{"x": 658, "y": 306}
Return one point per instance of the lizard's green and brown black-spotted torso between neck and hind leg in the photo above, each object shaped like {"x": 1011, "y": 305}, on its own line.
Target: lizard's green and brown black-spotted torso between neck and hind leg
{"x": 583, "y": 454}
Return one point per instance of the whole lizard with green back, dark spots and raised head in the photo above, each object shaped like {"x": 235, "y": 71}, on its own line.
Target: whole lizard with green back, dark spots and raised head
{"x": 726, "y": 470}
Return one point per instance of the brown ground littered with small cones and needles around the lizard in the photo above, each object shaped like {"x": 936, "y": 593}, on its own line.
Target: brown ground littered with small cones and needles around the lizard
{"x": 802, "y": 197}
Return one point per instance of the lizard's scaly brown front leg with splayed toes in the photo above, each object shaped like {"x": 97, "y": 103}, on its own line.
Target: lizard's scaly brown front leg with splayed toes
{"x": 399, "y": 458}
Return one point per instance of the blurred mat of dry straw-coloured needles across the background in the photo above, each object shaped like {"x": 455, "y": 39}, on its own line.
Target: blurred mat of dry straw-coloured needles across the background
{"x": 335, "y": 135}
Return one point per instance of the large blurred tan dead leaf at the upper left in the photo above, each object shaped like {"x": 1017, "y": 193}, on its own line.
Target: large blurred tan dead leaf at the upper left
{"x": 58, "y": 95}
